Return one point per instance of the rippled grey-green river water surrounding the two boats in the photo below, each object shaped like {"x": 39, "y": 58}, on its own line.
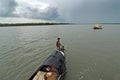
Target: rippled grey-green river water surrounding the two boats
{"x": 90, "y": 54}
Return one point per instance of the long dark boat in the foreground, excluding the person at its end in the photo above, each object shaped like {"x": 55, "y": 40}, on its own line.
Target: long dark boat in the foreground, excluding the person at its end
{"x": 56, "y": 60}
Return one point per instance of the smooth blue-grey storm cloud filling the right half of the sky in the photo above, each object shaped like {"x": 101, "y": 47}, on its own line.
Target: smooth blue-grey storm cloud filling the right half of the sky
{"x": 94, "y": 11}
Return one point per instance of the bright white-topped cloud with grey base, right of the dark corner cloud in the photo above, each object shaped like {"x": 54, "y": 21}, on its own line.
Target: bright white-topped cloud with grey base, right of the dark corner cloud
{"x": 36, "y": 10}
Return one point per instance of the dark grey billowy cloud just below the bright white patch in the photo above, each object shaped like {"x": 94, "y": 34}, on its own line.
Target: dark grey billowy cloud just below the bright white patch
{"x": 49, "y": 14}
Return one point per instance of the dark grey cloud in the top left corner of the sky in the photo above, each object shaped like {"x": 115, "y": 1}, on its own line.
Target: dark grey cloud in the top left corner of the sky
{"x": 7, "y": 7}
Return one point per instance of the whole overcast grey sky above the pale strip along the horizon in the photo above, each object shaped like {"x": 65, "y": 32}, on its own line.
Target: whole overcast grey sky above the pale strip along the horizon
{"x": 81, "y": 11}
